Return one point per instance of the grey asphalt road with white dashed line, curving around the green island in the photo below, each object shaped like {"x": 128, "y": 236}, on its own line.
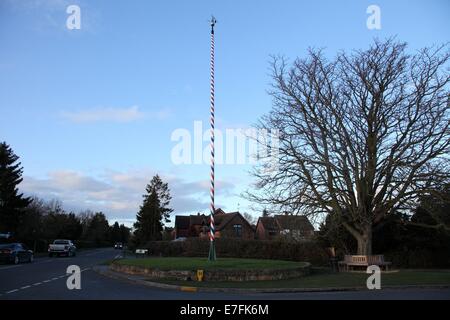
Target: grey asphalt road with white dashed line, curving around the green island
{"x": 46, "y": 279}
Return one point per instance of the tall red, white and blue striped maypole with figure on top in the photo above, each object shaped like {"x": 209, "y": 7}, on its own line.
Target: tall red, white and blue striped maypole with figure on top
{"x": 212, "y": 248}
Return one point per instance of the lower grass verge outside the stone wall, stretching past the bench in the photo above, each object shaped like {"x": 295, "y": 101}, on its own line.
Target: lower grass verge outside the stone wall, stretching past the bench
{"x": 323, "y": 279}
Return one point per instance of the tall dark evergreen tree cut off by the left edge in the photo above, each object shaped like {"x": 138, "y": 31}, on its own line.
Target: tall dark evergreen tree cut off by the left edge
{"x": 12, "y": 203}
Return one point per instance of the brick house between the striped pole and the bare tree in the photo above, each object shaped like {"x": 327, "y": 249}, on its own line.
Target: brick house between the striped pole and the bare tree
{"x": 295, "y": 227}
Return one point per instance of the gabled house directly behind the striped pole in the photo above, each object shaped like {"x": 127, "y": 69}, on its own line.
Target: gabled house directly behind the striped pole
{"x": 228, "y": 225}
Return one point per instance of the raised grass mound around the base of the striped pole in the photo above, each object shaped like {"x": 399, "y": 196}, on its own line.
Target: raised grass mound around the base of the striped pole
{"x": 175, "y": 263}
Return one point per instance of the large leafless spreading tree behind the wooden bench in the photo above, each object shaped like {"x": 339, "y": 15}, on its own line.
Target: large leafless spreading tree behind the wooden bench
{"x": 361, "y": 136}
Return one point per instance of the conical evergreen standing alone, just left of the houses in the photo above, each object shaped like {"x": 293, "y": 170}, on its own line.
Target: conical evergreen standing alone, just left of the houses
{"x": 154, "y": 212}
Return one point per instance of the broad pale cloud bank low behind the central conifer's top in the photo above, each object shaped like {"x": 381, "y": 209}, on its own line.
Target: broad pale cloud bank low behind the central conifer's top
{"x": 118, "y": 194}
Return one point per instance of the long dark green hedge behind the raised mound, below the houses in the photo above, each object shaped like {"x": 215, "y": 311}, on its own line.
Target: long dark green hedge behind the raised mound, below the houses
{"x": 234, "y": 248}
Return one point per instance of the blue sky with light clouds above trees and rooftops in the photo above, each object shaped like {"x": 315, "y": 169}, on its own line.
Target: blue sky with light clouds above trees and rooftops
{"x": 91, "y": 111}
